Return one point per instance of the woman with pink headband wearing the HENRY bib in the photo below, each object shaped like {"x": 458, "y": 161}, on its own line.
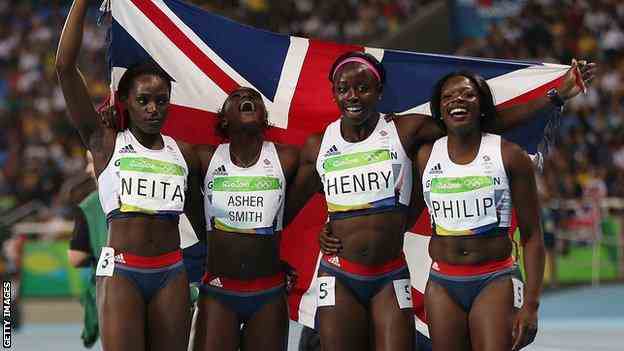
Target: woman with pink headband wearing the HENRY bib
{"x": 362, "y": 164}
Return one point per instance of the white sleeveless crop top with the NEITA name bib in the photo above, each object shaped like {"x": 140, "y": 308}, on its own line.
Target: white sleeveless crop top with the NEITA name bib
{"x": 142, "y": 180}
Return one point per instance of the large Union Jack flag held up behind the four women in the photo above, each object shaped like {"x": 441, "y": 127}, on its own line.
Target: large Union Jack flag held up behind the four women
{"x": 209, "y": 56}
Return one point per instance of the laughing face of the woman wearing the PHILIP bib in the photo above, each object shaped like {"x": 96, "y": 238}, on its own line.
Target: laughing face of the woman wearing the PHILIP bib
{"x": 460, "y": 105}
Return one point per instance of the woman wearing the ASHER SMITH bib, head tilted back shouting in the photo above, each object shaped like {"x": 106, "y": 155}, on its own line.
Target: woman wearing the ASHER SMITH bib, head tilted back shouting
{"x": 242, "y": 303}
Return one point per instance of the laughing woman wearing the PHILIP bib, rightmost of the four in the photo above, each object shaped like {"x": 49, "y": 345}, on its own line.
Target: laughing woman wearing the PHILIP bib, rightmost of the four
{"x": 470, "y": 179}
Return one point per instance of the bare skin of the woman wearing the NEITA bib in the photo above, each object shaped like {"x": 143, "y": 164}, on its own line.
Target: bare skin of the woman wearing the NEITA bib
{"x": 126, "y": 320}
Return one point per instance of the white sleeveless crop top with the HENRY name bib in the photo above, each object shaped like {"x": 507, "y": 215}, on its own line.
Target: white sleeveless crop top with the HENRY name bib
{"x": 373, "y": 175}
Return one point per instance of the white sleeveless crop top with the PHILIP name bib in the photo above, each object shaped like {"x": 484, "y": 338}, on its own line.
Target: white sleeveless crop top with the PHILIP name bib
{"x": 470, "y": 199}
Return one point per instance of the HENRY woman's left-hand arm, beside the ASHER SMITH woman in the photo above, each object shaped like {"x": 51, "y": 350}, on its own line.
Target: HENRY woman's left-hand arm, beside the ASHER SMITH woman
{"x": 306, "y": 181}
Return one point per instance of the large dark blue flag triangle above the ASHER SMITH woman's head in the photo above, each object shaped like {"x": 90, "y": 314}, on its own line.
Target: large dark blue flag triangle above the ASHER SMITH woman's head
{"x": 244, "y": 48}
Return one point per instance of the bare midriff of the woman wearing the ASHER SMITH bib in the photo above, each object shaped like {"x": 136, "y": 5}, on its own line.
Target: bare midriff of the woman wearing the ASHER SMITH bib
{"x": 243, "y": 256}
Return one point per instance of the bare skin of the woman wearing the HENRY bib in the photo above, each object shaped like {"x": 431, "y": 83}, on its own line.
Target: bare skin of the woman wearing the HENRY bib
{"x": 378, "y": 238}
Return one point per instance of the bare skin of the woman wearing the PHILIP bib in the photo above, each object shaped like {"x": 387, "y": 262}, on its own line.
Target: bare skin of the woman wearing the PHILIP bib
{"x": 491, "y": 324}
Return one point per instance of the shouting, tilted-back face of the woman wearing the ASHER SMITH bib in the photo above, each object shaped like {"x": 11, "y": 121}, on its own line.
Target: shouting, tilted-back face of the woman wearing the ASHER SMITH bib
{"x": 244, "y": 110}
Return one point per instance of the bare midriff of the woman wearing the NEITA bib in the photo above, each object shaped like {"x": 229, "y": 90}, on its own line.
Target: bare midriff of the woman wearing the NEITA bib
{"x": 144, "y": 236}
